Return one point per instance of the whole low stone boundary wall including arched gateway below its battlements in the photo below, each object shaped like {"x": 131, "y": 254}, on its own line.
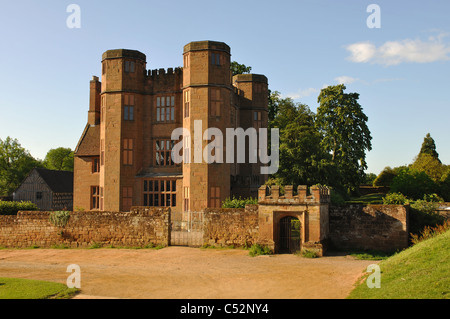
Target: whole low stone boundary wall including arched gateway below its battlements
{"x": 351, "y": 227}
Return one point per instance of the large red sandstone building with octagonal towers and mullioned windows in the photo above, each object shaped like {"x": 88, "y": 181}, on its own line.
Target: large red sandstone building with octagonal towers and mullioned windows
{"x": 123, "y": 157}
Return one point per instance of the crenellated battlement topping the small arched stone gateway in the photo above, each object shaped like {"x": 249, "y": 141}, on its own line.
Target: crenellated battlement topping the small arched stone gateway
{"x": 318, "y": 195}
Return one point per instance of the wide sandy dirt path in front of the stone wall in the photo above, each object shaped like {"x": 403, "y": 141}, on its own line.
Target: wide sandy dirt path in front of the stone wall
{"x": 188, "y": 273}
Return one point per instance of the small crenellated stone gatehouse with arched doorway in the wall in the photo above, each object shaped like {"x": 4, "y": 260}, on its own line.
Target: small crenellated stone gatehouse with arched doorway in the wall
{"x": 289, "y": 223}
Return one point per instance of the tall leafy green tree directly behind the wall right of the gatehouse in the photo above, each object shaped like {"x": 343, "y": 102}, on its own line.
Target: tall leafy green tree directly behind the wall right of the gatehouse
{"x": 346, "y": 136}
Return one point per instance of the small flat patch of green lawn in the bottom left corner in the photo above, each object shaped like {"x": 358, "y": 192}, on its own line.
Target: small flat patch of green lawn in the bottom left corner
{"x": 13, "y": 288}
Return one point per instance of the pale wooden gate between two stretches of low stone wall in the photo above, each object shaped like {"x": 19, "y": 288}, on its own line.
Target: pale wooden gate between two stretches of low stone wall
{"x": 186, "y": 229}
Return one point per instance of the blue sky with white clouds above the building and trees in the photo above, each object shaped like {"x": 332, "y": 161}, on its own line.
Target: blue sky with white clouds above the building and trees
{"x": 401, "y": 70}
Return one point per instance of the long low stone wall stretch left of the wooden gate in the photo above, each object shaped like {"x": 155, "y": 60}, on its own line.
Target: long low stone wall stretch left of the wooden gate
{"x": 138, "y": 228}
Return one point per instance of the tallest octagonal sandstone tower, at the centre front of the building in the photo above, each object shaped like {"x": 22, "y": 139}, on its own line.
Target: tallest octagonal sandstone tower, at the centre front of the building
{"x": 207, "y": 100}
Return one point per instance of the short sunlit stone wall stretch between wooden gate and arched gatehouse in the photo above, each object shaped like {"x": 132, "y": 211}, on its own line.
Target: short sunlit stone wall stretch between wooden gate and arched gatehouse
{"x": 231, "y": 226}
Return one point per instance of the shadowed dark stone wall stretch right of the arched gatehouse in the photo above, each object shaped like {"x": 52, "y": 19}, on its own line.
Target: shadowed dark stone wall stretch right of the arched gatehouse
{"x": 377, "y": 227}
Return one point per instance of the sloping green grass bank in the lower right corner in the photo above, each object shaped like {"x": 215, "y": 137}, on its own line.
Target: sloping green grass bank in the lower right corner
{"x": 419, "y": 272}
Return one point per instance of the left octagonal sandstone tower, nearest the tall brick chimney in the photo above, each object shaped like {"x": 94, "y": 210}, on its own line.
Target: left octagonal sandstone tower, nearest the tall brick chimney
{"x": 123, "y": 73}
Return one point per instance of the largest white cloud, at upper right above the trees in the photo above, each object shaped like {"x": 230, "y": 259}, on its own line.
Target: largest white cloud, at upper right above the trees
{"x": 404, "y": 51}
